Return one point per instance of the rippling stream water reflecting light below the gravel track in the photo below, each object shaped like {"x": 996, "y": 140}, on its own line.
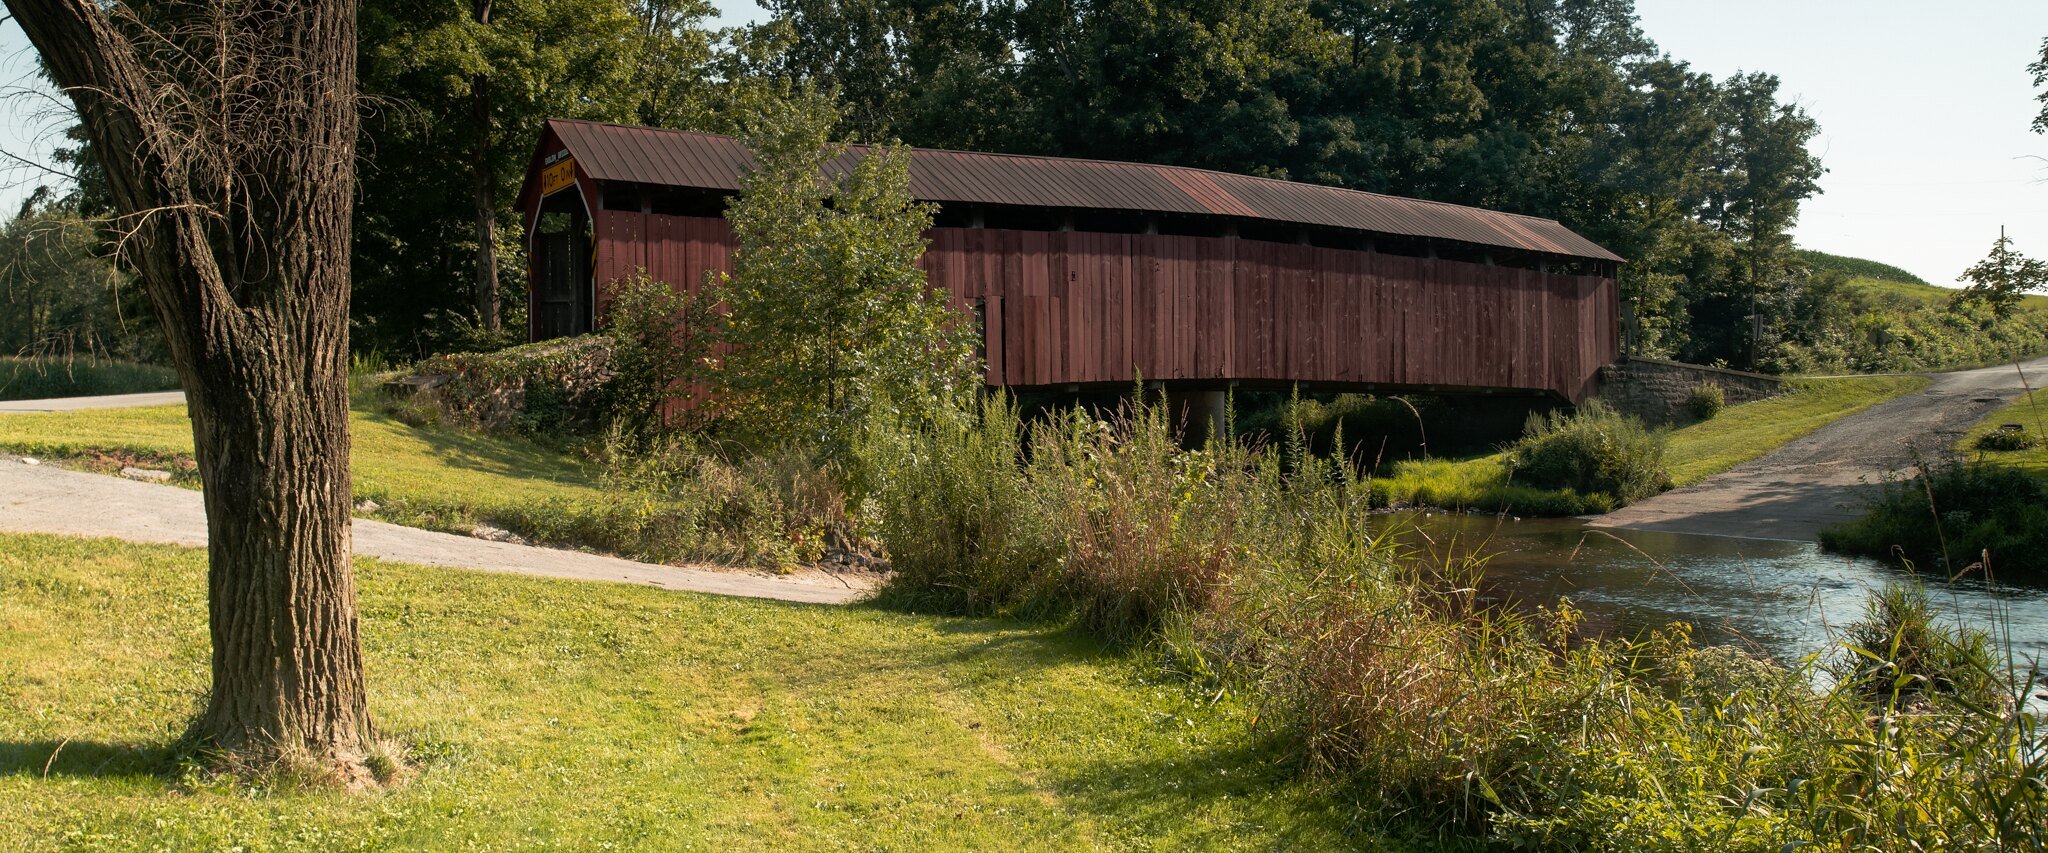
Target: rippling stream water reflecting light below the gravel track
{"x": 1781, "y": 598}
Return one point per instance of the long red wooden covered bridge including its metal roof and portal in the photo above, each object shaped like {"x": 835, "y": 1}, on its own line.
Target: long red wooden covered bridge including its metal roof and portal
{"x": 1095, "y": 273}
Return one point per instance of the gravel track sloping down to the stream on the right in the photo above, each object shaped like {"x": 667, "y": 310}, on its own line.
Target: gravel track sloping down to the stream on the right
{"x": 1816, "y": 482}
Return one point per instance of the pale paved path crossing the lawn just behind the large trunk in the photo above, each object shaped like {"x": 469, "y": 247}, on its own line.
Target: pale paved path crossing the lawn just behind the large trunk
{"x": 48, "y": 500}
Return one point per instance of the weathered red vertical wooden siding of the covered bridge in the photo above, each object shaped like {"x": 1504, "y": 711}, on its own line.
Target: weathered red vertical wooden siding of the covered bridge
{"x": 1066, "y": 308}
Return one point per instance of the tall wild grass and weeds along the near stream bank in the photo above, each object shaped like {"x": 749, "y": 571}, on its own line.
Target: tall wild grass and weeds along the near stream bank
{"x": 1256, "y": 572}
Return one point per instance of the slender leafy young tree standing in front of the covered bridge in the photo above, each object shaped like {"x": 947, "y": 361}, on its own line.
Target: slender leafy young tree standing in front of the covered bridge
{"x": 828, "y": 316}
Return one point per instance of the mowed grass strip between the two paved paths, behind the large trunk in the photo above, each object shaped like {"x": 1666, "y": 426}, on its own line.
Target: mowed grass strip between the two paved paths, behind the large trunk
{"x": 429, "y": 478}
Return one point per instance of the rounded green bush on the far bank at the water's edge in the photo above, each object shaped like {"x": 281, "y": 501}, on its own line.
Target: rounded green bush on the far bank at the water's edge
{"x": 1592, "y": 451}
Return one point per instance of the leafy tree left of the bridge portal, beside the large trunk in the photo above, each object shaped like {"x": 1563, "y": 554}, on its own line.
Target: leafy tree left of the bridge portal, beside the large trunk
{"x": 460, "y": 93}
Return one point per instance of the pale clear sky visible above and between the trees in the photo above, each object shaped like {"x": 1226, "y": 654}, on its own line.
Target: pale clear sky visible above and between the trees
{"x": 1924, "y": 116}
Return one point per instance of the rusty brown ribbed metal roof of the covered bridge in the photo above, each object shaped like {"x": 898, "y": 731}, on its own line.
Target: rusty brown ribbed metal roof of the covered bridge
{"x": 706, "y": 161}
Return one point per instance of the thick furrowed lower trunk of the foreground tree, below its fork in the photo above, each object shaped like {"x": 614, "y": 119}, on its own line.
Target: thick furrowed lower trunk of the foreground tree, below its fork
{"x": 271, "y": 437}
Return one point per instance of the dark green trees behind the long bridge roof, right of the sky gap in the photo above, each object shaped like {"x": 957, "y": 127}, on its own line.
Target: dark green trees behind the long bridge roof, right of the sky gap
{"x": 1551, "y": 107}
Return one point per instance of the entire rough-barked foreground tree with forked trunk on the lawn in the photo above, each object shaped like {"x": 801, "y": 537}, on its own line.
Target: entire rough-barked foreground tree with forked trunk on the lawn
{"x": 228, "y": 136}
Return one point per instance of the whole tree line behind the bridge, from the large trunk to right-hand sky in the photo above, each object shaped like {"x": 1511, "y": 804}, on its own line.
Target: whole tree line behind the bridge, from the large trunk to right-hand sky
{"x": 1553, "y": 107}
